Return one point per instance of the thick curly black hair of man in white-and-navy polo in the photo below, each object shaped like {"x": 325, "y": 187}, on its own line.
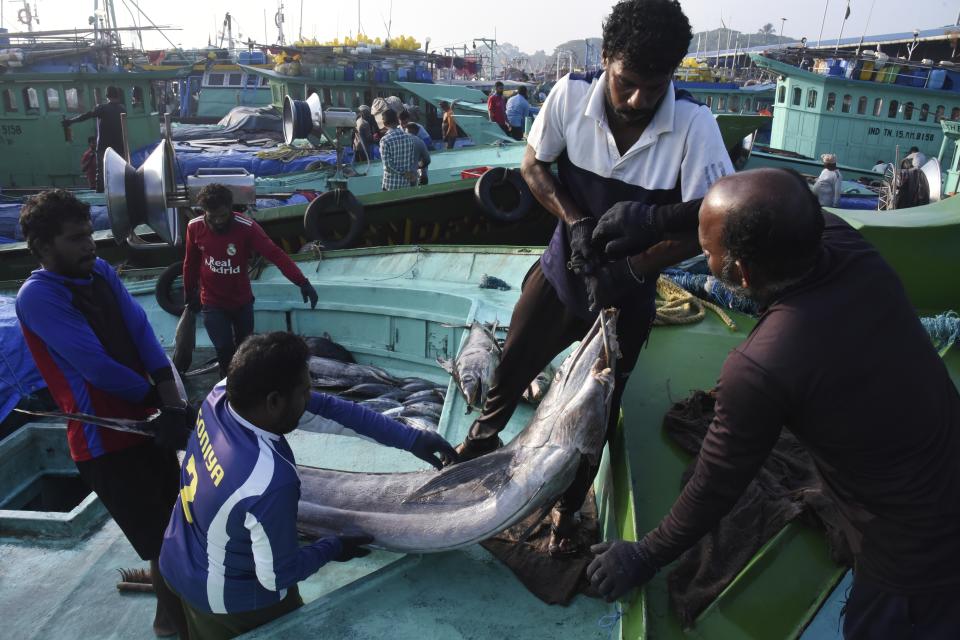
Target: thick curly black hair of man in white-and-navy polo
{"x": 650, "y": 36}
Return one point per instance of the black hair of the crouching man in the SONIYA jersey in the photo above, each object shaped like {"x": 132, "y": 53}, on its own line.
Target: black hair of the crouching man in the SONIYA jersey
{"x": 263, "y": 364}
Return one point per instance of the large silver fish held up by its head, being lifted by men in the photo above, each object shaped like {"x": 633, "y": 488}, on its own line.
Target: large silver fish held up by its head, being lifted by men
{"x": 423, "y": 512}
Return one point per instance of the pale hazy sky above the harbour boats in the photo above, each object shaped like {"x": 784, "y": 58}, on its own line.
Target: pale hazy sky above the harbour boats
{"x": 531, "y": 25}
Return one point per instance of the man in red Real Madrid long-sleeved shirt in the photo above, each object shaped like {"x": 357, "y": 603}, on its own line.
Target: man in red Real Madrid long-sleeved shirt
{"x": 219, "y": 243}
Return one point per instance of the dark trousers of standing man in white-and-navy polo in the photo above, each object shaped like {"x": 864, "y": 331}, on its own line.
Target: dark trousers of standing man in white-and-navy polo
{"x": 540, "y": 328}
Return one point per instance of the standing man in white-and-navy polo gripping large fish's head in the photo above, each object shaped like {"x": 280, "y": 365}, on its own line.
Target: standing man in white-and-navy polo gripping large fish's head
{"x": 634, "y": 156}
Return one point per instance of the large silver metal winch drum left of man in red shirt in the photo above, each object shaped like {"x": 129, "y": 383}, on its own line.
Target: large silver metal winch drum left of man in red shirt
{"x": 139, "y": 196}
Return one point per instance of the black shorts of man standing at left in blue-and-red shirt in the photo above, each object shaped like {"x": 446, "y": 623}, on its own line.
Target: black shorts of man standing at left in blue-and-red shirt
{"x": 139, "y": 487}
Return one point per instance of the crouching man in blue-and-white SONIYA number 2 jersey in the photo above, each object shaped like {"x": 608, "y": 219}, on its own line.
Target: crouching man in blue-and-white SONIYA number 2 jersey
{"x": 230, "y": 550}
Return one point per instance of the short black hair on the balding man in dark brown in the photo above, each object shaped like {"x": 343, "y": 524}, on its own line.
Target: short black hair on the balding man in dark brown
{"x": 780, "y": 236}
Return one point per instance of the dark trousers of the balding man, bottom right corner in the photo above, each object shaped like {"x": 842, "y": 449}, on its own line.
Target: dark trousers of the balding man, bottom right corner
{"x": 872, "y": 613}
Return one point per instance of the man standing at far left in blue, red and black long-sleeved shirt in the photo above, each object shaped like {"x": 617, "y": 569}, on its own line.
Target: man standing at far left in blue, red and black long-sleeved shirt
{"x": 98, "y": 355}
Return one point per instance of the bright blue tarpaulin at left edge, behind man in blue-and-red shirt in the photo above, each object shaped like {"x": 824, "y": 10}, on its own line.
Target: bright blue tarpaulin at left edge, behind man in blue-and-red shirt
{"x": 19, "y": 376}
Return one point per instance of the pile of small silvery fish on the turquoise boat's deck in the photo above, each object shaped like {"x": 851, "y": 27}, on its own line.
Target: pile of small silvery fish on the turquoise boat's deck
{"x": 412, "y": 401}
